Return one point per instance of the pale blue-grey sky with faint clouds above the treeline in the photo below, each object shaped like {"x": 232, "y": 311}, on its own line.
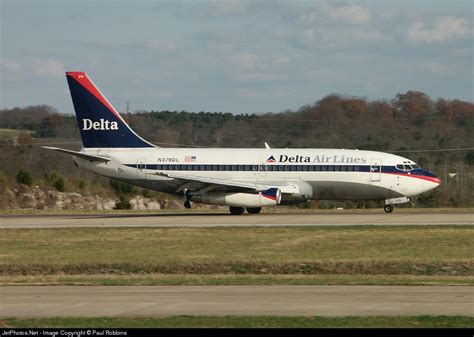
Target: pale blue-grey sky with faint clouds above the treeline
{"x": 234, "y": 56}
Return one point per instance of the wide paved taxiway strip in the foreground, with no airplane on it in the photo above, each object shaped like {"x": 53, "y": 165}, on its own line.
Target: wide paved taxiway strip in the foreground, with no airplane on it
{"x": 81, "y": 301}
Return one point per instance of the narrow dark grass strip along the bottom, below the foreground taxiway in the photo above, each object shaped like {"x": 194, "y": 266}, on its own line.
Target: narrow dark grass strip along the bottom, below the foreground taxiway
{"x": 245, "y": 322}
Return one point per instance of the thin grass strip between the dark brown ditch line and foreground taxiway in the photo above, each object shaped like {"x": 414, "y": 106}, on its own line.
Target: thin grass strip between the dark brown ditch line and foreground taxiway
{"x": 226, "y": 279}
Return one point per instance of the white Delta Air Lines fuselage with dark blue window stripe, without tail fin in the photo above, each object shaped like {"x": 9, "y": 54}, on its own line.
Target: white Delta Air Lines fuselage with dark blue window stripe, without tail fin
{"x": 328, "y": 174}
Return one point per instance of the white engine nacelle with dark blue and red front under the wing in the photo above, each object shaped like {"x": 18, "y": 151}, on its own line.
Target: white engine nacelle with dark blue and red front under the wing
{"x": 270, "y": 197}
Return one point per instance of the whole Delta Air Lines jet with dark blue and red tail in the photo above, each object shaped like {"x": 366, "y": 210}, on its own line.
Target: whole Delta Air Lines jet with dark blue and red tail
{"x": 239, "y": 178}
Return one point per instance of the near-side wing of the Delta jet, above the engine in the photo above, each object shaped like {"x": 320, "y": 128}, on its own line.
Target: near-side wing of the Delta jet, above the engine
{"x": 202, "y": 184}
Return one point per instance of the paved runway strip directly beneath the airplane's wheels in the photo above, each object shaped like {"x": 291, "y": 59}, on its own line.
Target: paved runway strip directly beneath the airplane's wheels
{"x": 221, "y": 219}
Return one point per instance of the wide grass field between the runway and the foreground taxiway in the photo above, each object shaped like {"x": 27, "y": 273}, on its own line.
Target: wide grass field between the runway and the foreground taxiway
{"x": 231, "y": 255}
